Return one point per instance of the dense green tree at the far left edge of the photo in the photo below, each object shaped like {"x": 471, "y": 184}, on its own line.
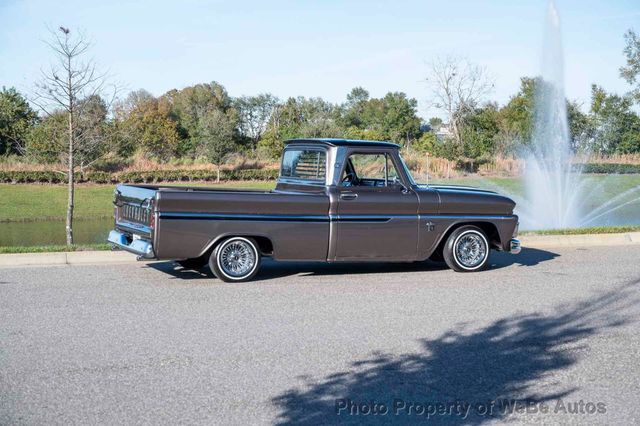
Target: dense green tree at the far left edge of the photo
{"x": 16, "y": 119}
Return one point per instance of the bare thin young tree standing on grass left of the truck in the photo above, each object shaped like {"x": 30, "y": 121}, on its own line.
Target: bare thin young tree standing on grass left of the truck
{"x": 69, "y": 86}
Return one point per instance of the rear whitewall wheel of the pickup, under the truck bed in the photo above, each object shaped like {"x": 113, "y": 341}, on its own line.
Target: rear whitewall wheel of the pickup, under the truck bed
{"x": 236, "y": 259}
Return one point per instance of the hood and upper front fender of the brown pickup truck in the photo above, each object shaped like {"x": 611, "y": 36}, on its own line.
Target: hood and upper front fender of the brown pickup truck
{"x": 468, "y": 200}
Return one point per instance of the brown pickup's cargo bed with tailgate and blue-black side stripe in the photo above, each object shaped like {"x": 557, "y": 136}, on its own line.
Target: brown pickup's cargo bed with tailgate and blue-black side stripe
{"x": 183, "y": 222}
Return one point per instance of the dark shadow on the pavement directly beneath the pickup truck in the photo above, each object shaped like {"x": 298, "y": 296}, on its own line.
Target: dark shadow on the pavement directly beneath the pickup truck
{"x": 273, "y": 270}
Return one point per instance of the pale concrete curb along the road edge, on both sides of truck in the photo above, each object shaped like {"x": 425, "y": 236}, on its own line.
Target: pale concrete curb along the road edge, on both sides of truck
{"x": 114, "y": 257}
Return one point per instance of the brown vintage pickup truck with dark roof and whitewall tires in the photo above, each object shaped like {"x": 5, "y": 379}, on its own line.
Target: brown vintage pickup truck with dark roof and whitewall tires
{"x": 335, "y": 200}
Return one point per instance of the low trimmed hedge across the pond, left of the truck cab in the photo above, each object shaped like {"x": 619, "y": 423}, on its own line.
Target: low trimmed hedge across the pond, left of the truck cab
{"x": 137, "y": 177}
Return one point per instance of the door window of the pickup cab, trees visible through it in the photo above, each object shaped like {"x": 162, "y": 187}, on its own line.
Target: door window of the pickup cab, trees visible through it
{"x": 369, "y": 170}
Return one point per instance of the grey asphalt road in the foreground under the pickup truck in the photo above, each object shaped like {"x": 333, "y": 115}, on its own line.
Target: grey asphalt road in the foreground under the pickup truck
{"x": 154, "y": 344}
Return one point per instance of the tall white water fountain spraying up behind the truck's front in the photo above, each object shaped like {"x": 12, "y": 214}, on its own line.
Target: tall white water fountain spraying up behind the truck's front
{"x": 557, "y": 193}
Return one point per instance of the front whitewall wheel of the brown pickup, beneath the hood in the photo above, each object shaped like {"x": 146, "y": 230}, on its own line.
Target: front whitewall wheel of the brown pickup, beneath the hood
{"x": 467, "y": 249}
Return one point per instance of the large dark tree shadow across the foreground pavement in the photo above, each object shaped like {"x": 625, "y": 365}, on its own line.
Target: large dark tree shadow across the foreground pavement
{"x": 500, "y": 362}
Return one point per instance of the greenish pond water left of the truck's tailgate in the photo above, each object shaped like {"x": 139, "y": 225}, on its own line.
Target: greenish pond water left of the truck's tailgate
{"x": 41, "y": 233}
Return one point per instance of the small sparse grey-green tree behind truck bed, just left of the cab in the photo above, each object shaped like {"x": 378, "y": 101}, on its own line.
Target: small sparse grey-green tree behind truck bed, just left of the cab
{"x": 254, "y": 113}
